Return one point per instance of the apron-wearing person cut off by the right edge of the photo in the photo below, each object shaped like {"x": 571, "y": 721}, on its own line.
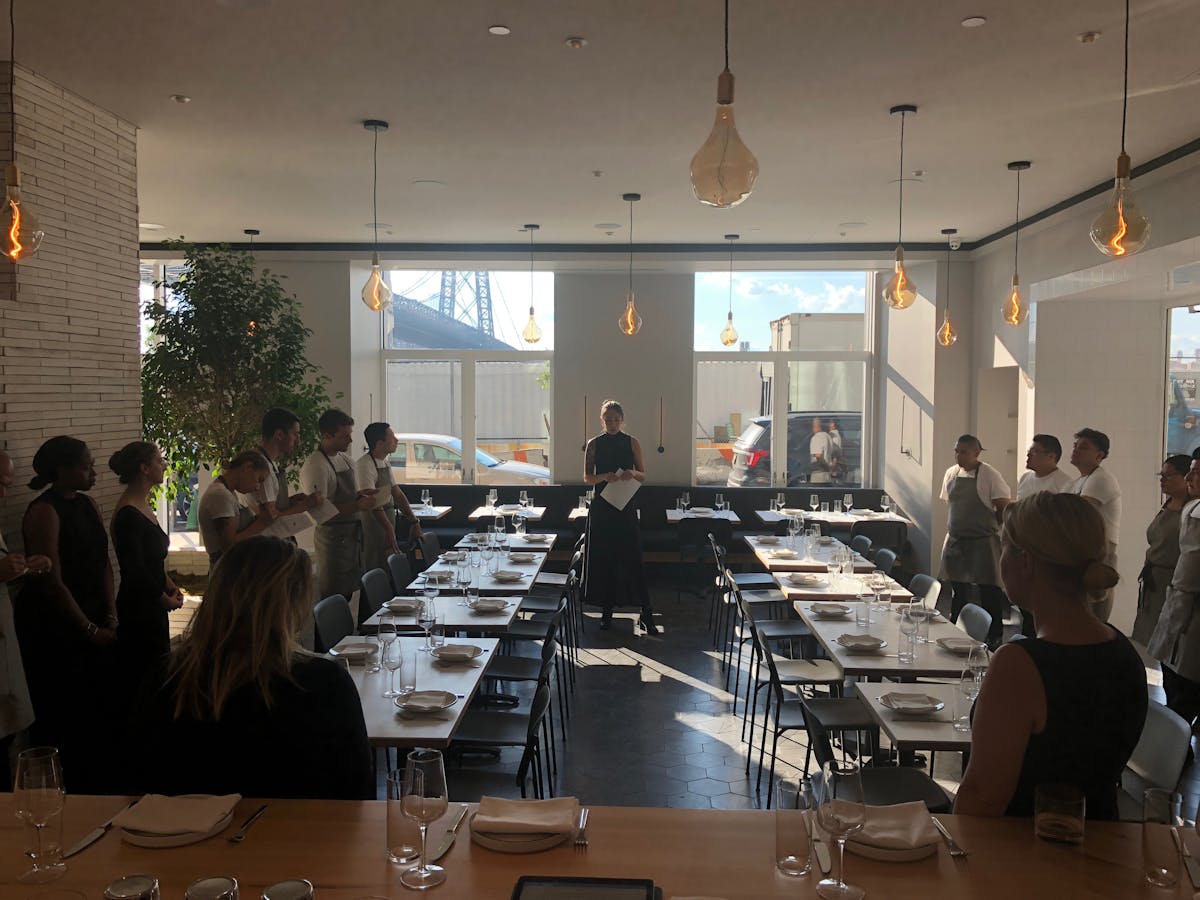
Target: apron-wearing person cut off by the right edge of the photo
{"x": 1175, "y": 640}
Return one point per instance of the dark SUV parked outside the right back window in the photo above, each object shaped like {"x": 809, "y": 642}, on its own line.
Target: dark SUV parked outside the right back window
{"x": 752, "y": 451}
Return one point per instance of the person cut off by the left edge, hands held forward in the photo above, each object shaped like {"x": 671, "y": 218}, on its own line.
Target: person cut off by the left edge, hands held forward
{"x": 16, "y": 710}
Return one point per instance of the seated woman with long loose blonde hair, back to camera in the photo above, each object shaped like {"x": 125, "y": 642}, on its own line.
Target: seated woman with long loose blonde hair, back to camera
{"x": 243, "y": 707}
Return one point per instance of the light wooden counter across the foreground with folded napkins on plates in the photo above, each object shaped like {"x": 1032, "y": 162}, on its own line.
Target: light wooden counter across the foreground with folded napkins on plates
{"x": 339, "y": 847}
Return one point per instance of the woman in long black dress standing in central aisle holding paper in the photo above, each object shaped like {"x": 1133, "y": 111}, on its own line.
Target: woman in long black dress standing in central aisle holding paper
{"x": 613, "y": 568}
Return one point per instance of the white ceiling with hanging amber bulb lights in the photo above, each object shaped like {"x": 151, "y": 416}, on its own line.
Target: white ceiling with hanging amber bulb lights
{"x": 517, "y": 127}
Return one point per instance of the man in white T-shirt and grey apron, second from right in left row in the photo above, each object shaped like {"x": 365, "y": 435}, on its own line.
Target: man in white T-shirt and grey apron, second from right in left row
{"x": 332, "y": 473}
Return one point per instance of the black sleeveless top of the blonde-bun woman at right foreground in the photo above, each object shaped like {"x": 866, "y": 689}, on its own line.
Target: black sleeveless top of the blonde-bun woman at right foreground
{"x": 1096, "y": 709}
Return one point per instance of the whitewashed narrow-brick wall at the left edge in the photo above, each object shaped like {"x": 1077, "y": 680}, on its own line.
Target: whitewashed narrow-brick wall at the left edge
{"x": 69, "y": 339}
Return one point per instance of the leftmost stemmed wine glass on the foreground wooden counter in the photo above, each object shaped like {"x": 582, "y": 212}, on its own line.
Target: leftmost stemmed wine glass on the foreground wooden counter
{"x": 39, "y": 796}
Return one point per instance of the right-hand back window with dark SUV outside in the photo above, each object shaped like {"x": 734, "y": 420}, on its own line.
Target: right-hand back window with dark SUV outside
{"x": 803, "y": 356}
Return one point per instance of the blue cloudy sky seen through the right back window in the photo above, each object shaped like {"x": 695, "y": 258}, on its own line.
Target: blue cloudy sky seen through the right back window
{"x": 763, "y": 297}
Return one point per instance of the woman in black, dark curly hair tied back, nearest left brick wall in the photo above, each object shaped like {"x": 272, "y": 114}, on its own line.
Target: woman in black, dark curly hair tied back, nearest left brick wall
{"x": 67, "y": 619}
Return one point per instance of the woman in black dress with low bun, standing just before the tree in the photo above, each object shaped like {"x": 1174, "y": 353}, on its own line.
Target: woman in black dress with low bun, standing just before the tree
{"x": 147, "y": 593}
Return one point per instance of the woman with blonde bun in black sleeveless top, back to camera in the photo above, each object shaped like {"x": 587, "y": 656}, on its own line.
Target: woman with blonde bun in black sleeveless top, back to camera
{"x": 1067, "y": 706}
